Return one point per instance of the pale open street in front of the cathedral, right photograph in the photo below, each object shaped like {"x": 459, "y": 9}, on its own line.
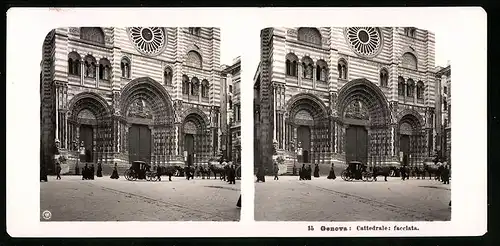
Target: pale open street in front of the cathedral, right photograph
{"x": 321, "y": 199}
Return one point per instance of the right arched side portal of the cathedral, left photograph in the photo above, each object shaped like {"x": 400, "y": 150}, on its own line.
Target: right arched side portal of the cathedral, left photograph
{"x": 195, "y": 137}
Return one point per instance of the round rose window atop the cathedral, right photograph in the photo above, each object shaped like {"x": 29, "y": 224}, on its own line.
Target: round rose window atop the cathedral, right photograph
{"x": 364, "y": 41}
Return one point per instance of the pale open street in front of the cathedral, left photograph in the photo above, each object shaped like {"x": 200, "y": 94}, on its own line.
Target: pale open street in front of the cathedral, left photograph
{"x": 105, "y": 199}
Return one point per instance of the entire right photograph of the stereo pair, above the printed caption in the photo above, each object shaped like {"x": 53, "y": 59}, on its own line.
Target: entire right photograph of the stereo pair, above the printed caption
{"x": 352, "y": 124}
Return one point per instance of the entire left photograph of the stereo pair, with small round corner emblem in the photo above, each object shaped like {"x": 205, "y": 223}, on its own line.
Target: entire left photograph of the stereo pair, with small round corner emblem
{"x": 139, "y": 124}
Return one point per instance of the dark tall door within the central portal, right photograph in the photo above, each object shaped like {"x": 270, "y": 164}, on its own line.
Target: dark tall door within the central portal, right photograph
{"x": 357, "y": 144}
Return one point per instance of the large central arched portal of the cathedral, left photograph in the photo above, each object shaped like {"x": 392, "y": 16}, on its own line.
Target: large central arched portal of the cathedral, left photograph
{"x": 148, "y": 122}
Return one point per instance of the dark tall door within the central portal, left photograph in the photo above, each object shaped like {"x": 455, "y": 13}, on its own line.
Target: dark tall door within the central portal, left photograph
{"x": 139, "y": 143}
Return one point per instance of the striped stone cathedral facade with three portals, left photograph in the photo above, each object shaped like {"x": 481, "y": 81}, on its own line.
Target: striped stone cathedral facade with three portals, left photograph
{"x": 117, "y": 95}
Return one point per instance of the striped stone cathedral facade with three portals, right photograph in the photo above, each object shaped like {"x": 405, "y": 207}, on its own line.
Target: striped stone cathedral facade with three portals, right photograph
{"x": 344, "y": 94}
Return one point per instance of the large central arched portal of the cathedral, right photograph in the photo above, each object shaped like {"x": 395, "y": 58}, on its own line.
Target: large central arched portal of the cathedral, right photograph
{"x": 364, "y": 113}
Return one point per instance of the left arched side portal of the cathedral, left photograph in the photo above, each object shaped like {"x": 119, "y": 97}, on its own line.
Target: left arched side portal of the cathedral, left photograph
{"x": 89, "y": 126}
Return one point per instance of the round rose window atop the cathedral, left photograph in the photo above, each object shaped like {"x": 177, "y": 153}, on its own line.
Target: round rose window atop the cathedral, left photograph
{"x": 148, "y": 40}
